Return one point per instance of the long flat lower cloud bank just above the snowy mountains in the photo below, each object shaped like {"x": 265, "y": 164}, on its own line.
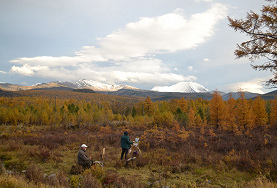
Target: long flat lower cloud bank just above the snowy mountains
{"x": 141, "y": 72}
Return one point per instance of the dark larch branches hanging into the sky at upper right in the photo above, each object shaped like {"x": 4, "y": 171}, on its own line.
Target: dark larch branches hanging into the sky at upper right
{"x": 261, "y": 29}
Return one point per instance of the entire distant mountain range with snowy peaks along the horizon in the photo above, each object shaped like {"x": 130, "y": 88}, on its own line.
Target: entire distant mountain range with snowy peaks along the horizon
{"x": 183, "y": 89}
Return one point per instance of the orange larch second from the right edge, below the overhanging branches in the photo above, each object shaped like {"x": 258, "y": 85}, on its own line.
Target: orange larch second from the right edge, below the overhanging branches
{"x": 259, "y": 111}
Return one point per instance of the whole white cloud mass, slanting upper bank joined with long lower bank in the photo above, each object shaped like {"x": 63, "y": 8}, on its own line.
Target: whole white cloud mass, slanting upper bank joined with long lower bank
{"x": 127, "y": 54}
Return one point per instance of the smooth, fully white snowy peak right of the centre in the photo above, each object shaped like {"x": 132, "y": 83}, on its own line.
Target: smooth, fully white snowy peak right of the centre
{"x": 182, "y": 87}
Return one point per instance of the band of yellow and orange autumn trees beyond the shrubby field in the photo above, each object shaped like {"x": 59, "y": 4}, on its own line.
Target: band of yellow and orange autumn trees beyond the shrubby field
{"x": 234, "y": 114}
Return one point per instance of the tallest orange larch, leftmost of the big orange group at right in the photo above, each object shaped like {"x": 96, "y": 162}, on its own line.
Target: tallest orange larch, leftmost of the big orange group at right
{"x": 217, "y": 110}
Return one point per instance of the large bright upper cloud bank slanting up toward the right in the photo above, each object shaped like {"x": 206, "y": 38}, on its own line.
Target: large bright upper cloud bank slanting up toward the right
{"x": 163, "y": 34}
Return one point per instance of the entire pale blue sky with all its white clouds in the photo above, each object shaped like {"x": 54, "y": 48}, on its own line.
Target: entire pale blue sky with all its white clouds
{"x": 142, "y": 43}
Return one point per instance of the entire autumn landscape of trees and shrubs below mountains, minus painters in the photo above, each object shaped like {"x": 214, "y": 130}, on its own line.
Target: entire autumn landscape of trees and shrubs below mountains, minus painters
{"x": 183, "y": 142}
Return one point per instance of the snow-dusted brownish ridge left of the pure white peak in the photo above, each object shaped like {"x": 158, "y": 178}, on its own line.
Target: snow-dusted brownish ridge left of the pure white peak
{"x": 96, "y": 86}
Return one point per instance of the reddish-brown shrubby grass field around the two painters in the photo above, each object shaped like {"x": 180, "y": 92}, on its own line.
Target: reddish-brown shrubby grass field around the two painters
{"x": 41, "y": 157}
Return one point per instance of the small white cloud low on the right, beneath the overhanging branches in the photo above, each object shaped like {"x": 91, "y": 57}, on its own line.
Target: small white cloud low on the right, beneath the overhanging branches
{"x": 253, "y": 86}
